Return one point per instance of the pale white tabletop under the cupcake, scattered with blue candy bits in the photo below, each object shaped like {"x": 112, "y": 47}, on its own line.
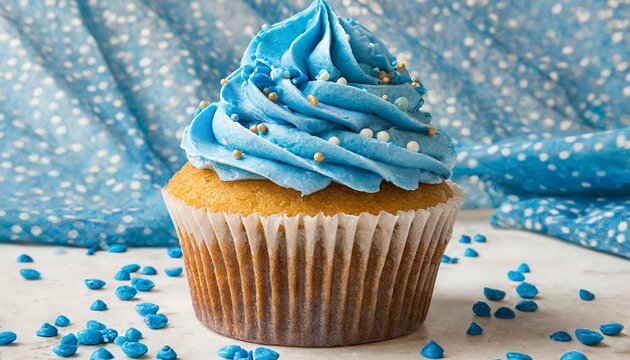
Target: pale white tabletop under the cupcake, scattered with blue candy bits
{"x": 559, "y": 269}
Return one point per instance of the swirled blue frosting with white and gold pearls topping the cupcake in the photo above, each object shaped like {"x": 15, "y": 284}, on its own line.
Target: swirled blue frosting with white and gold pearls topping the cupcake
{"x": 308, "y": 79}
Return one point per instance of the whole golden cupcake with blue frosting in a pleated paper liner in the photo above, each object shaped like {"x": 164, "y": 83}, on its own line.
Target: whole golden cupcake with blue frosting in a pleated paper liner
{"x": 316, "y": 204}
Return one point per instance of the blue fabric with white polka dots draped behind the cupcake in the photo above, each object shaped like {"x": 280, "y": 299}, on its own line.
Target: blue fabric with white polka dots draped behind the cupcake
{"x": 96, "y": 95}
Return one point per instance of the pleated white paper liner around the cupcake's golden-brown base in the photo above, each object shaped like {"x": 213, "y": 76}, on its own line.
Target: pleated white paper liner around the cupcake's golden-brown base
{"x": 313, "y": 280}
